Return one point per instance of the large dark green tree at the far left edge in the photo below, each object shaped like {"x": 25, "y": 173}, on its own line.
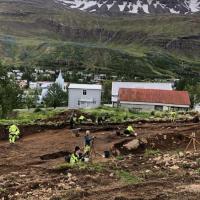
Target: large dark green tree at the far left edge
{"x": 10, "y": 94}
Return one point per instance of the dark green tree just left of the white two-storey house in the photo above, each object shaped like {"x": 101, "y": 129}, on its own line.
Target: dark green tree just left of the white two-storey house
{"x": 55, "y": 97}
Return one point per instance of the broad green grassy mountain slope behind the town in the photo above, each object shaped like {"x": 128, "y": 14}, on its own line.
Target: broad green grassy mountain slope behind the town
{"x": 27, "y": 36}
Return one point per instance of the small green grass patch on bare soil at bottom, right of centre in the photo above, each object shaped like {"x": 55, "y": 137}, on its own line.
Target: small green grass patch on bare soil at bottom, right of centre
{"x": 128, "y": 178}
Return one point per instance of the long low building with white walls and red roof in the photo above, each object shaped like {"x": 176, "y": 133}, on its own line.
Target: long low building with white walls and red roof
{"x": 153, "y": 99}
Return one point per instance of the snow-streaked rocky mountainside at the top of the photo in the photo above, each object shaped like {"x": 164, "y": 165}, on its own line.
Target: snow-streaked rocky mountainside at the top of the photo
{"x": 134, "y": 6}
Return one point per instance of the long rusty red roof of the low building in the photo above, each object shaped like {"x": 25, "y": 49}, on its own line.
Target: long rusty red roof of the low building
{"x": 154, "y": 96}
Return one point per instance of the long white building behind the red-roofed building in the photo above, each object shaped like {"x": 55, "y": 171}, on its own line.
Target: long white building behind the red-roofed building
{"x": 143, "y": 85}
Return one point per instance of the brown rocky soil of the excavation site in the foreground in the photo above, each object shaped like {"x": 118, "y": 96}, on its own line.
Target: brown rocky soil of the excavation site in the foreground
{"x": 154, "y": 165}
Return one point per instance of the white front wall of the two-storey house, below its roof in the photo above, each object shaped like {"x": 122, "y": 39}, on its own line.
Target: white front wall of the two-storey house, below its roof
{"x": 75, "y": 95}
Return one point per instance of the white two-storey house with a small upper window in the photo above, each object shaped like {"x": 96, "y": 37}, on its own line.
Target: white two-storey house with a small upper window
{"x": 84, "y": 95}
